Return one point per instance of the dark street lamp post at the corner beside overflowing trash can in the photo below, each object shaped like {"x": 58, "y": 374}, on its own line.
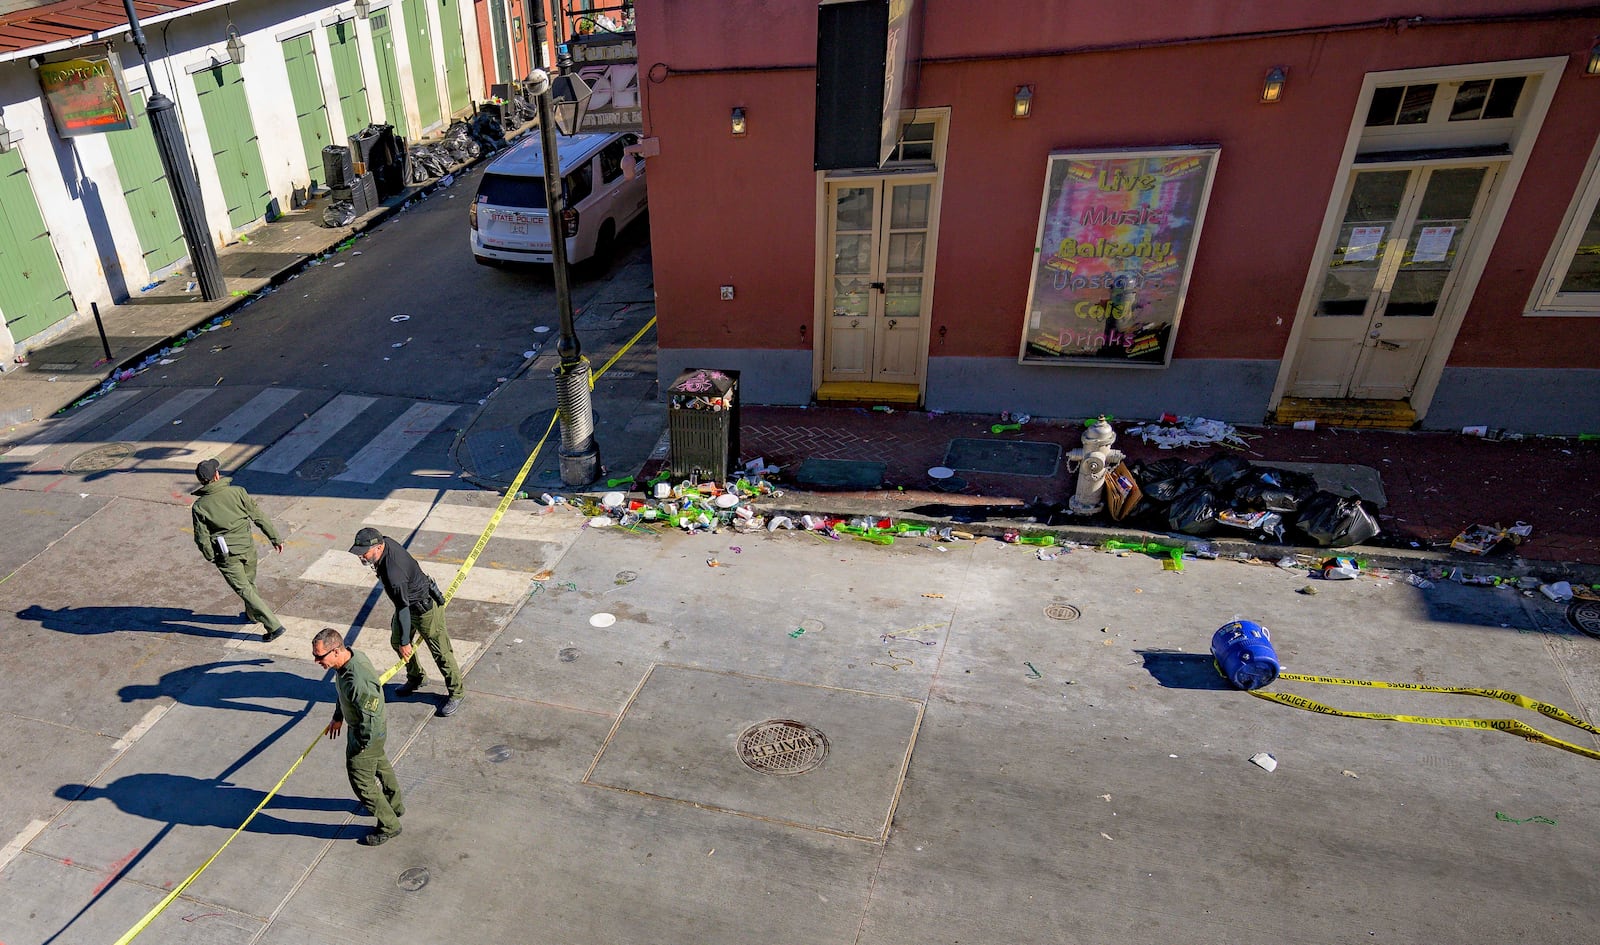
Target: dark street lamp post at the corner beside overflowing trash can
{"x": 580, "y": 453}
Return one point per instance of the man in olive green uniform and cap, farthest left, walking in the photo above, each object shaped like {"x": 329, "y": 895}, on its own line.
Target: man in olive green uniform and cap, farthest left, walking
{"x": 222, "y": 522}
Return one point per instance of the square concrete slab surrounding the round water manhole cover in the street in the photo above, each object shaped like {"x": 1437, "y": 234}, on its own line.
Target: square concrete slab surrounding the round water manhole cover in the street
{"x": 678, "y": 740}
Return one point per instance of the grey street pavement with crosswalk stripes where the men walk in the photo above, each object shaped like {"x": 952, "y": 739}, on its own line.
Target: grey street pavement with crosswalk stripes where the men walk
{"x": 990, "y": 746}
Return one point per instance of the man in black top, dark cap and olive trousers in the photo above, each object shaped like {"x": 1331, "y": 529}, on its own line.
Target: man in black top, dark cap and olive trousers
{"x": 420, "y": 610}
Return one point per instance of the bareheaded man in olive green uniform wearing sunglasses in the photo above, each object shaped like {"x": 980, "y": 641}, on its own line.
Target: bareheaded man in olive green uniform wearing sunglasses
{"x": 362, "y": 704}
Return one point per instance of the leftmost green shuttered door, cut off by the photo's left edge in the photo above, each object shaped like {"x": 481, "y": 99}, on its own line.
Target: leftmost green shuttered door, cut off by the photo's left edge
{"x": 33, "y": 290}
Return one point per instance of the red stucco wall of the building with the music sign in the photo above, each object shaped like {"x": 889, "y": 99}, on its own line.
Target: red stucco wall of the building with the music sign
{"x": 743, "y": 210}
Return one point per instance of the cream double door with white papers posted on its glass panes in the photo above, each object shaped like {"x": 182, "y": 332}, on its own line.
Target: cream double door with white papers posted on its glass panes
{"x": 1388, "y": 281}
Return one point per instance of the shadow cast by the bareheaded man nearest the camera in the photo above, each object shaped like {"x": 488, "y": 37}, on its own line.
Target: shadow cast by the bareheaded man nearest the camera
{"x": 198, "y": 802}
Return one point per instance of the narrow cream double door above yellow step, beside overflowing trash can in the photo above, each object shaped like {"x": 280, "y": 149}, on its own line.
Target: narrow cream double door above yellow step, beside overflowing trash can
{"x": 878, "y": 281}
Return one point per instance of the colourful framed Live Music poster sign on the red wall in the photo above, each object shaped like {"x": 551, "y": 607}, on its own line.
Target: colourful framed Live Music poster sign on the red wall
{"x": 1116, "y": 244}
